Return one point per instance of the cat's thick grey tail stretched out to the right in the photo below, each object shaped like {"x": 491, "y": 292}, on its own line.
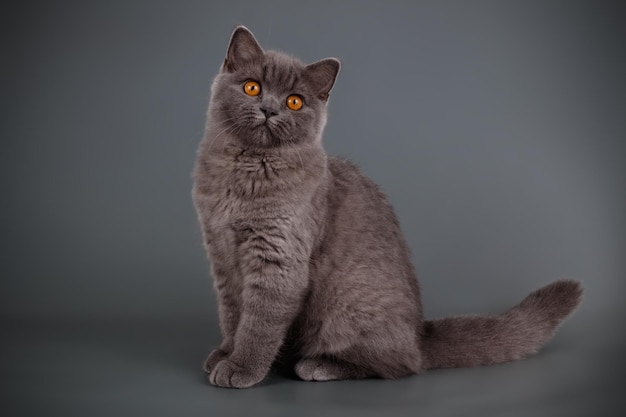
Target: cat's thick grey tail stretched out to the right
{"x": 467, "y": 341}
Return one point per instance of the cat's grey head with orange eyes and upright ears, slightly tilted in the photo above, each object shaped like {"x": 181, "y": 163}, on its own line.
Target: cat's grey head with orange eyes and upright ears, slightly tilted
{"x": 268, "y": 99}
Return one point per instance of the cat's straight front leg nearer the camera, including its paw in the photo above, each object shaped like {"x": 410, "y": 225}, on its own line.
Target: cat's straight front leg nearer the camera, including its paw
{"x": 272, "y": 293}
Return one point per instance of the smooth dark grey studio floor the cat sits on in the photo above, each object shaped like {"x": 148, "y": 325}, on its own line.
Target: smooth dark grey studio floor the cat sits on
{"x": 151, "y": 367}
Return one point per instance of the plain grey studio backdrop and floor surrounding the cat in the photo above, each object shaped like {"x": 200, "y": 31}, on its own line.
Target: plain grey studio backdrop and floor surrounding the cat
{"x": 496, "y": 129}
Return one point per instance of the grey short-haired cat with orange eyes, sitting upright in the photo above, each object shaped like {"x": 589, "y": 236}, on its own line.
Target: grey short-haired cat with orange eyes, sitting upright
{"x": 306, "y": 253}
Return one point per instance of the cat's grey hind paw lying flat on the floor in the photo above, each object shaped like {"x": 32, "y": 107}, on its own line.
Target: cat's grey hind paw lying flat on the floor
{"x": 327, "y": 369}
